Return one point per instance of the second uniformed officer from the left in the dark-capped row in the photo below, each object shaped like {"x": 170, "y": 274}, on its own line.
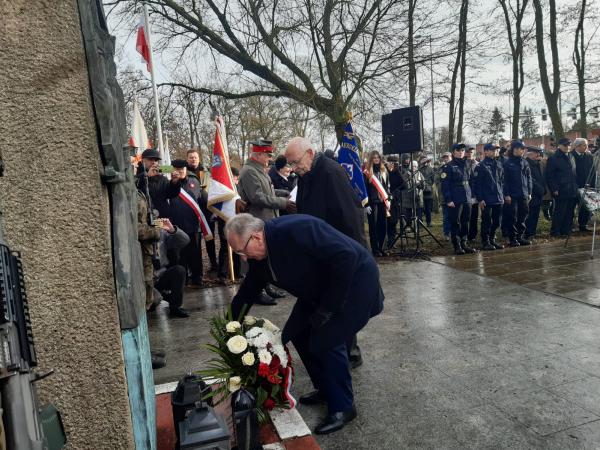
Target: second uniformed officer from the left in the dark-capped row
{"x": 488, "y": 186}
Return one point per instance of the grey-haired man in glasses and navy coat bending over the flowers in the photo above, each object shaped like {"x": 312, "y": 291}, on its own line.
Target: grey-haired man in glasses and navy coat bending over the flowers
{"x": 336, "y": 282}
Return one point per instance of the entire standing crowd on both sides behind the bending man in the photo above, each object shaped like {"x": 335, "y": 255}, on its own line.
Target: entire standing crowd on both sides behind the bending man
{"x": 497, "y": 194}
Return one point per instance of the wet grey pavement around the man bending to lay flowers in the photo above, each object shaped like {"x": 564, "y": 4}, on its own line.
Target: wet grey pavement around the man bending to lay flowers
{"x": 456, "y": 360}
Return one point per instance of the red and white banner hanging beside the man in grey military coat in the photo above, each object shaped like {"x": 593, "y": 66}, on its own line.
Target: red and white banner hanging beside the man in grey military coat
{"x": 222, "y": 193}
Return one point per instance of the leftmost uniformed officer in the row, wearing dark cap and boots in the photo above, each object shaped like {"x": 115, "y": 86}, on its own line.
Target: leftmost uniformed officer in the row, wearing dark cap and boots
{"x": 456, "y": 189}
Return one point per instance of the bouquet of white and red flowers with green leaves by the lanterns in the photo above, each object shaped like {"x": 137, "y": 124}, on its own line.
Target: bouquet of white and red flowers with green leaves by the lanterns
{"x": 250, "y": 355}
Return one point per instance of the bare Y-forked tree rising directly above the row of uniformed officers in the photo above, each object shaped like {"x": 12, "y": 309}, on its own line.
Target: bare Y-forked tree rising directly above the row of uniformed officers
{"x": 513, "y": 17}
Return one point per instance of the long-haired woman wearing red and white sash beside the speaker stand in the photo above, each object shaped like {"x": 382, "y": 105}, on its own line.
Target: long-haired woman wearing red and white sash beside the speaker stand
{"x": 378, "y": 200}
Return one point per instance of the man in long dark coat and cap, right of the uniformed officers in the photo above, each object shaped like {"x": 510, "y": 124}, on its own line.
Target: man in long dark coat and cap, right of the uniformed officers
{"x": 561, "y": 176}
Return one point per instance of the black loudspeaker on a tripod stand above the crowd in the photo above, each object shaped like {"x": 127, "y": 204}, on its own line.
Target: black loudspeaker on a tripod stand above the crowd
{"x": 402, "y": 131}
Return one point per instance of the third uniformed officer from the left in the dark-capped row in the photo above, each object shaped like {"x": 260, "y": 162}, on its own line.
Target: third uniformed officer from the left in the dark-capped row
{"x": 517, "y": 193}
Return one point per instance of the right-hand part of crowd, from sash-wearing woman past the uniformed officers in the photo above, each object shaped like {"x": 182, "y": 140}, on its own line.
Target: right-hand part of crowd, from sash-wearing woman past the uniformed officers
{"x": 497, "y": 194}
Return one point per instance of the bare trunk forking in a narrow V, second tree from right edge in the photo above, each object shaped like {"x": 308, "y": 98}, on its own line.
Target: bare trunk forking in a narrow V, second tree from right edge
{"x": 551, "y": 94}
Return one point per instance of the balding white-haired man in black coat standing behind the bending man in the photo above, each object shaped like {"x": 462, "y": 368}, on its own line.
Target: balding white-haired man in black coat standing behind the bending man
{"x": 324, "y": 191}
